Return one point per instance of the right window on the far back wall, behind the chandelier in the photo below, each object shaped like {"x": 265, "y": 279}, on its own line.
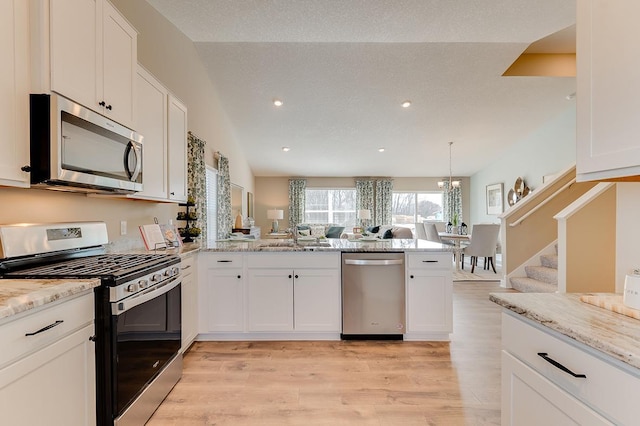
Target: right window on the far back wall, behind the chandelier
{"x": 411, "y": 207}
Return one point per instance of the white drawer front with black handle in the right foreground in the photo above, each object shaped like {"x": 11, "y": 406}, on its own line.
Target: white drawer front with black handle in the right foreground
{"x": 605, "y": 378}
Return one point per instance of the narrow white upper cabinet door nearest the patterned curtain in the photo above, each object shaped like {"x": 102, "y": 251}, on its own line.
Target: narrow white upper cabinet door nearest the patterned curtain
{"x": 177, "y": 150}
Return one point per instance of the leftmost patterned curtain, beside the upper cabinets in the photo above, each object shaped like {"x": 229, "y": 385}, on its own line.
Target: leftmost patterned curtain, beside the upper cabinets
{"x": 197, "y": 181}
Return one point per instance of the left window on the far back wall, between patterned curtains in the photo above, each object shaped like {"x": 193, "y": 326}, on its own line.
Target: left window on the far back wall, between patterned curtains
{"x": 330, "y": 206}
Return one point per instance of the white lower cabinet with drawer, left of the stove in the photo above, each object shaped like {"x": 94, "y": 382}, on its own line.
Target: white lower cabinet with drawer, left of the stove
{"x": 50, "y": 379}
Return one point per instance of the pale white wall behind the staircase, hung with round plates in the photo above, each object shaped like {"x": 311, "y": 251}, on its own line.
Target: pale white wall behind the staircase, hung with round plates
{"x": 548, "y": 150}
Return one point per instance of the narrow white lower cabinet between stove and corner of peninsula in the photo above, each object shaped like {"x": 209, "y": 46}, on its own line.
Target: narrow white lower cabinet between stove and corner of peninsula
{"x": 189, "y": 301}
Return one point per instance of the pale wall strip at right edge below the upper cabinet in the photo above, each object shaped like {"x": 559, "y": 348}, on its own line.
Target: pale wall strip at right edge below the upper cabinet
{"x": 627, "y": 231}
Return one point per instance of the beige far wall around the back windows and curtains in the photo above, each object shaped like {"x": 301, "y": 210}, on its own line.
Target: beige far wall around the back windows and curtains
{"x": 273, "y": 192}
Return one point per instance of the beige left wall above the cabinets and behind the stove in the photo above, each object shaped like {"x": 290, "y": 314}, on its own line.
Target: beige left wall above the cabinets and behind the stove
{"x": 172, "y": 58}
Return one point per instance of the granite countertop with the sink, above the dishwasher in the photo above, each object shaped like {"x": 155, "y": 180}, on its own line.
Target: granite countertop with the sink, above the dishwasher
{"x": 329, "y": 245}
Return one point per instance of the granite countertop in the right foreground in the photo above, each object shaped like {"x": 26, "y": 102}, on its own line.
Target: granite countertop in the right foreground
{"x": 614, "y": 334}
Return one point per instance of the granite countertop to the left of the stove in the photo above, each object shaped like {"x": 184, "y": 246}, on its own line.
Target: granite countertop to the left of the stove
{"x": 22, "y": 295}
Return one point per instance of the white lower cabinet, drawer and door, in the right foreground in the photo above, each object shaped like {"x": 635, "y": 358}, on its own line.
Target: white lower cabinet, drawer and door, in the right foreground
{"x": 550, "y": 379}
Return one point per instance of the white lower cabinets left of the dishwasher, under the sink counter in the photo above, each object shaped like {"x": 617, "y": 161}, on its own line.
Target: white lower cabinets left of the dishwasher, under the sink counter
{"x": 285, "y": 295}
